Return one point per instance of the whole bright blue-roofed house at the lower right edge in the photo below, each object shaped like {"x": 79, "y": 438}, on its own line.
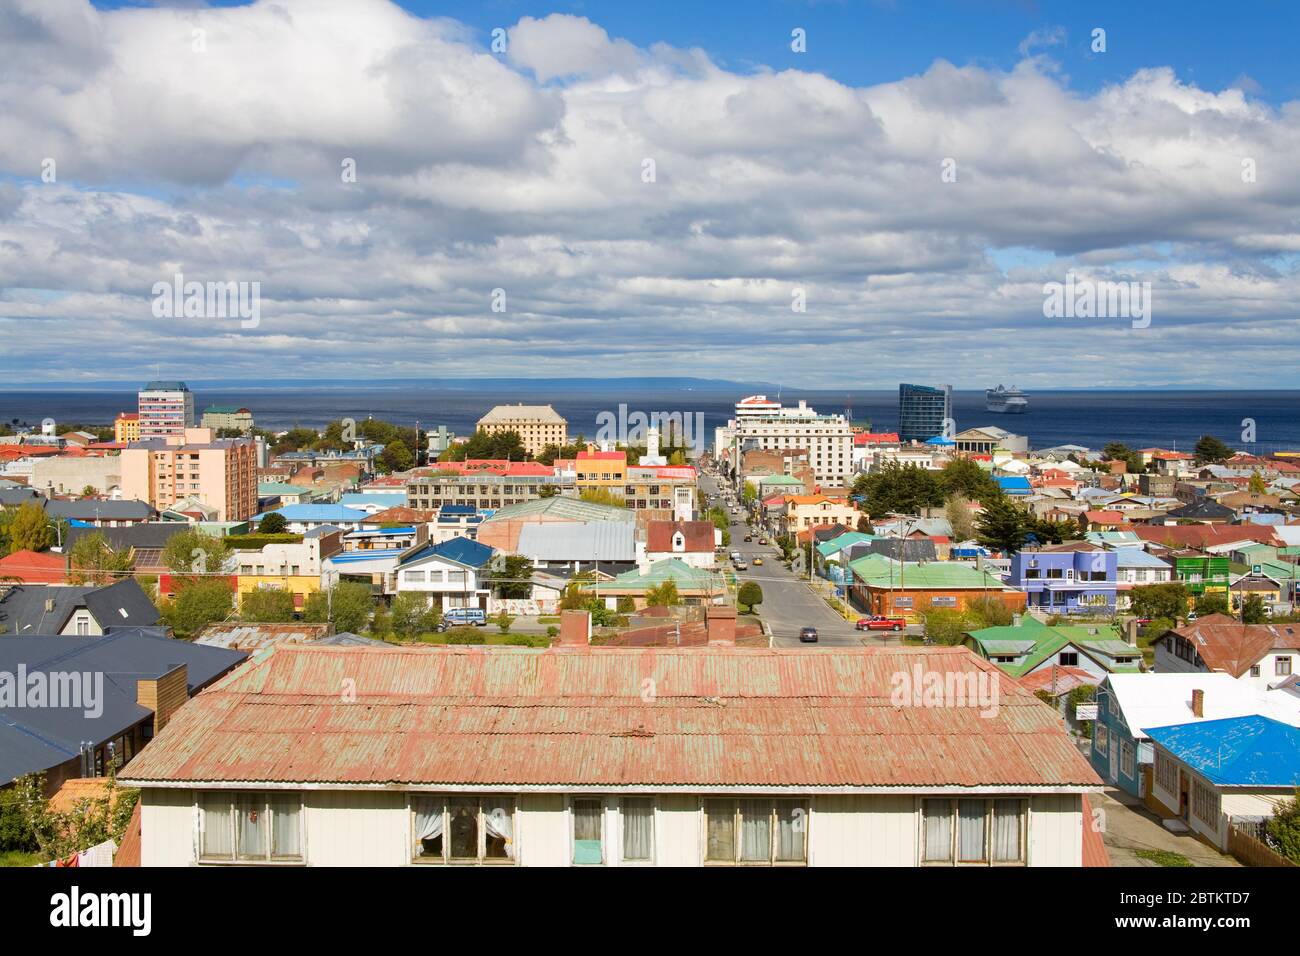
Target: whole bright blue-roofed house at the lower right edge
{"x": 1223, "y": 775}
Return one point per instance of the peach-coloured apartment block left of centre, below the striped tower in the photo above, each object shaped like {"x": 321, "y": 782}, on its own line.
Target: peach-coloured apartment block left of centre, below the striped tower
{"x": 194, "y": 465}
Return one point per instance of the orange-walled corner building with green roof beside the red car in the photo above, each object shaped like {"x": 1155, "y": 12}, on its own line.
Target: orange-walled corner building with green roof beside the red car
{"x": 909, "y": 590}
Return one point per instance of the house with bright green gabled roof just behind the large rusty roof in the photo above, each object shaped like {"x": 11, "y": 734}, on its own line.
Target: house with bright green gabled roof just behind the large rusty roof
{"x": 1030, "y": 647}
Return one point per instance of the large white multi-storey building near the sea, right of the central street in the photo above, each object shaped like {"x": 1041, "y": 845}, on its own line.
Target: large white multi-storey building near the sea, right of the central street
{"x": 769, "y": 426}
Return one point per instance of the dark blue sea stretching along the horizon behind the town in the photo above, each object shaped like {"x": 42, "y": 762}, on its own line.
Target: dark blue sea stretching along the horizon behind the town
{"x": 1141, "y": 418}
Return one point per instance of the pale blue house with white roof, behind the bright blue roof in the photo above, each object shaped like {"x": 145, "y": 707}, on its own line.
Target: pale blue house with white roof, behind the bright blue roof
{"x": 1129, "y": 704}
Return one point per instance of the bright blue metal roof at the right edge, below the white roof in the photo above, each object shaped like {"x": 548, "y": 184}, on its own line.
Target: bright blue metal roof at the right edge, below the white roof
{"x": 1237, "y": 751}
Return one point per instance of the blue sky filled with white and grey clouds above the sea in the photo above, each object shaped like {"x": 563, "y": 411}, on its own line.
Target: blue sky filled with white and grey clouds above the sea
{"x": 601, "y": 189}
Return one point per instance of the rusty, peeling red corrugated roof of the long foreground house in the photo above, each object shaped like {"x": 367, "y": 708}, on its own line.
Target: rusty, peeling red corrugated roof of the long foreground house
{"x": 583, "y": 717}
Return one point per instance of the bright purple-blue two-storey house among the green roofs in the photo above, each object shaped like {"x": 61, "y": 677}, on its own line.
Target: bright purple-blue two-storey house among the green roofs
{"x": 1072, "y": 578}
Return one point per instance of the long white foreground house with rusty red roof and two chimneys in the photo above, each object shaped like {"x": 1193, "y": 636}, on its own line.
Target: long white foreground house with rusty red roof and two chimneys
{"x": 742, "y": 756}
